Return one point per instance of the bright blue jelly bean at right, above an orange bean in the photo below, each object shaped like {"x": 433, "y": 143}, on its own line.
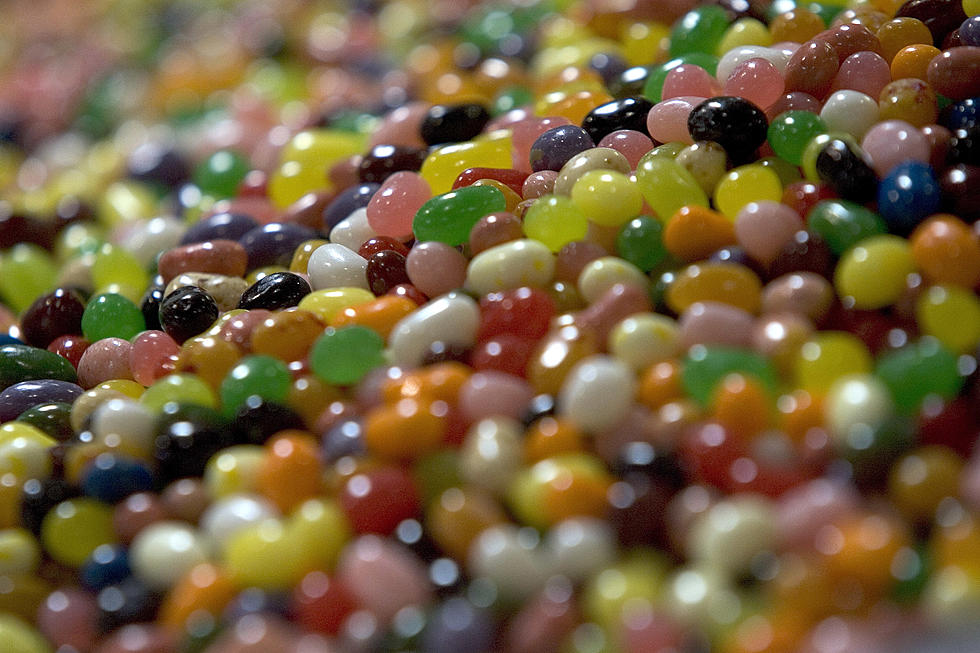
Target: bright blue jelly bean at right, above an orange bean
{"x": 907, "y": 195}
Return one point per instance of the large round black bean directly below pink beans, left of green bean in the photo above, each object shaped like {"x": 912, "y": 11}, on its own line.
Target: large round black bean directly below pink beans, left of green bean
{"x": 733, "y": 122}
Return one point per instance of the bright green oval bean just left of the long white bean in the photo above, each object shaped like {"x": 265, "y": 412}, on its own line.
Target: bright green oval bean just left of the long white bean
{"x": 343, "y": 356}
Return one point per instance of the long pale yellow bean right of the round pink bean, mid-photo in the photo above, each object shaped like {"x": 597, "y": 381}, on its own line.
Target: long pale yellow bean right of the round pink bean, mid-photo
{"x": 513, "y": 264}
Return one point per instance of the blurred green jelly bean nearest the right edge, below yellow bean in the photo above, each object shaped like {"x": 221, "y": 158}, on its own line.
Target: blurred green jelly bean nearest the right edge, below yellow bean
{"x": 919, "y": 370}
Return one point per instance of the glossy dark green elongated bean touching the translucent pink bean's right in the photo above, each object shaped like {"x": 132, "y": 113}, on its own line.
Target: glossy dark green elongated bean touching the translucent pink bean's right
{"x": 448, "y": 218}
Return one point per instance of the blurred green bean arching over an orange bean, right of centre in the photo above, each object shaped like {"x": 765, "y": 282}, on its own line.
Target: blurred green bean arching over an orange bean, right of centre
{"x": 705, "y": 367}
